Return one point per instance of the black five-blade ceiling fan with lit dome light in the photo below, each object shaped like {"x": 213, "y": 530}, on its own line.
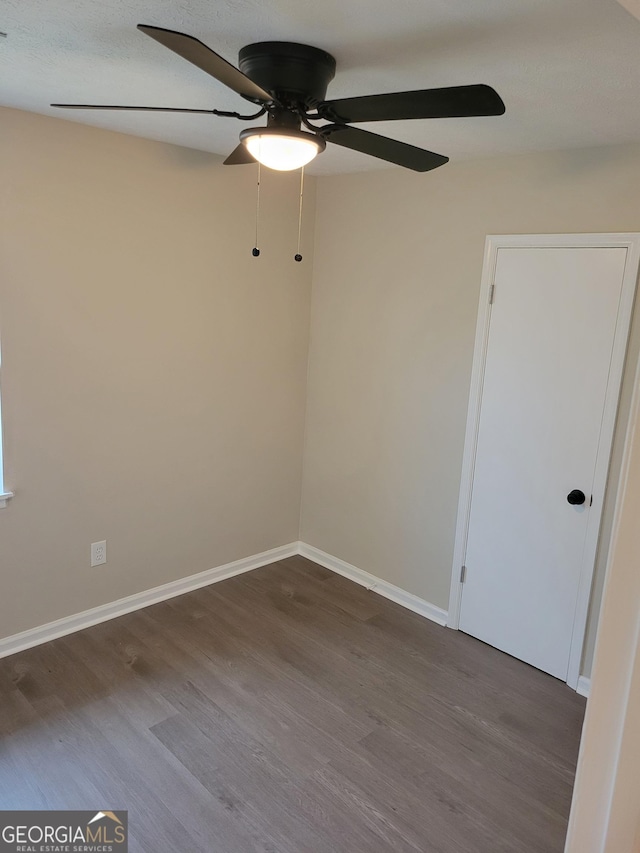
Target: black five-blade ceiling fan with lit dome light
{"x": 288, "y": 82}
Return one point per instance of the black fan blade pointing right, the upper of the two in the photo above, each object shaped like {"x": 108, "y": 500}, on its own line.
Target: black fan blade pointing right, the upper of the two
{"x": 450, "y": 102}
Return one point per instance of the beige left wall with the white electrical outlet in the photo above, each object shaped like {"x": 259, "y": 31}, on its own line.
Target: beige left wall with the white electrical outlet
{"x": 153, "y": 371}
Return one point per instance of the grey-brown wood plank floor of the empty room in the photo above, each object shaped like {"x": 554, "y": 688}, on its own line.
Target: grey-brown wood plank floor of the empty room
{"x": 291, "y": 711}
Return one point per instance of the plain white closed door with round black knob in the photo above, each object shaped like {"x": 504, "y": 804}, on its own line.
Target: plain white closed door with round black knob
{"x": 550, "y": 344}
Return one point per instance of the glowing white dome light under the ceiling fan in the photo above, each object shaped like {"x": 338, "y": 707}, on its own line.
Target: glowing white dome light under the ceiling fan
{"x": 283, "y": 149}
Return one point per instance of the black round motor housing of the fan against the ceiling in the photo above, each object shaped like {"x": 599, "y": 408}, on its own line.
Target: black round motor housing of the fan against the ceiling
{"x": 293, "y": 73}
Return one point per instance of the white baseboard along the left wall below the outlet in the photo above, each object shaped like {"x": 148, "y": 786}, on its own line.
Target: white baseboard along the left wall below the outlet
{"x": 78, "y": 621}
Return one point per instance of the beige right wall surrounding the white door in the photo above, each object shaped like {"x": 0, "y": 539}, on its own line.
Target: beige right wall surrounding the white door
{"x": 398, "y": 259}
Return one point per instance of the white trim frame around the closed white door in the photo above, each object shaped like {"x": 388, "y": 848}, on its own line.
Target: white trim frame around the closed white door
{"x": 630, "y": 241}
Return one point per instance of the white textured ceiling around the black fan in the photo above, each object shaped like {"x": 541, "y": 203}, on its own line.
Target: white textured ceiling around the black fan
{"x": 568, "y": 70}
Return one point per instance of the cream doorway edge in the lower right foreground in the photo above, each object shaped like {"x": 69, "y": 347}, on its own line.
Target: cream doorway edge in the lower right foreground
{"x": 605, "y": 817}
